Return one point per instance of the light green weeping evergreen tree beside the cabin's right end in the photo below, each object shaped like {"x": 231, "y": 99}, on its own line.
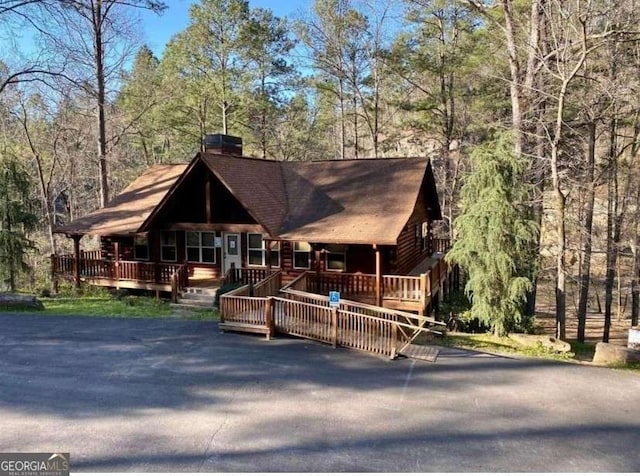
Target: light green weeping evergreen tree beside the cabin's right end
{"x": 494, "y": 235}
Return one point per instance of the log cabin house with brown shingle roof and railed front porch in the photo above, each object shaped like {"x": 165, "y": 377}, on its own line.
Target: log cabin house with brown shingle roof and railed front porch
{"x": 190, "y": 225}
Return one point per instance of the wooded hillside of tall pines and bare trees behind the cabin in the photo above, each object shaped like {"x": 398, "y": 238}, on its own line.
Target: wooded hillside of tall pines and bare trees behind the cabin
{"x": 89, "y": 107}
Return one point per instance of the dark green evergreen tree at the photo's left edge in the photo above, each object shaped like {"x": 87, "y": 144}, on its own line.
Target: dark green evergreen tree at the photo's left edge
{"x": 17, "y": 218}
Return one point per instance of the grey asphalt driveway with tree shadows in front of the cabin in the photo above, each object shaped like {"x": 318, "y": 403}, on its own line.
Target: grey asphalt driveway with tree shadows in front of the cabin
{"x": 166, "y": 395}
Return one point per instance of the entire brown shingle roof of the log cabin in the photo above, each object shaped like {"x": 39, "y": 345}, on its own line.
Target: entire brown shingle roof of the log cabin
{"x": 366, "y": 201}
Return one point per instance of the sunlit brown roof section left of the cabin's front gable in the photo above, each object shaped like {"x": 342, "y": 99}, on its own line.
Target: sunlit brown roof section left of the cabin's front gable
{"x": 128, "y": 210}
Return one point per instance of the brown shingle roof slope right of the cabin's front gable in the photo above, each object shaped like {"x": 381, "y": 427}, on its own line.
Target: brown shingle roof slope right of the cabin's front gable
{"x": 351, "y": 201}
